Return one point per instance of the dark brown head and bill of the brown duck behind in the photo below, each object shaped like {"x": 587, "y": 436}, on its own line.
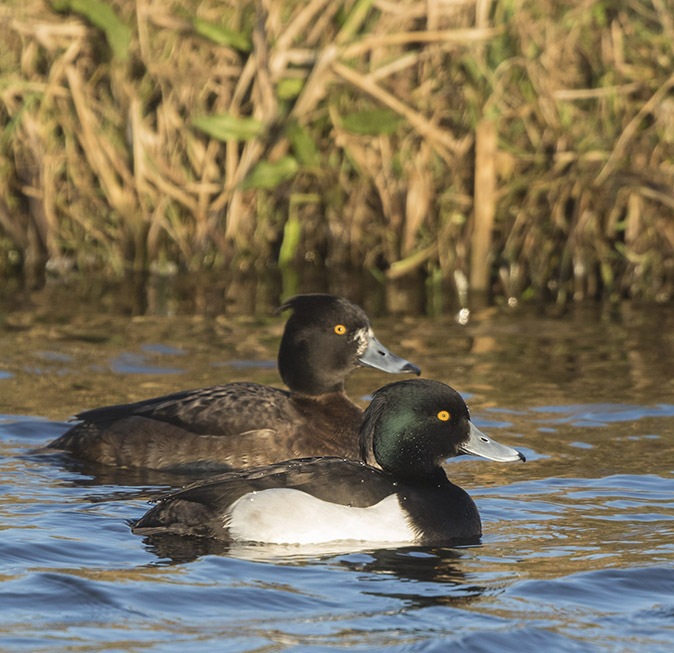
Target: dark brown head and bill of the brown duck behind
{"x": 325, "y": 339}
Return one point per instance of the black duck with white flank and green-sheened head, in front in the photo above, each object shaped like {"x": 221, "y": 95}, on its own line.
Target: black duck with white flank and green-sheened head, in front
{"x": 409, "y": 429}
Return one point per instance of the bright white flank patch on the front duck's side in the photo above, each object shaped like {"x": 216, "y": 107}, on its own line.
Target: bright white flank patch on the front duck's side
{"x": 287, "y": 516}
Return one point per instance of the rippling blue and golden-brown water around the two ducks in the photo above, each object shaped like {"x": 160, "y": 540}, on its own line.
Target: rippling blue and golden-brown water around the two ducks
{"x": 578, "y": 550}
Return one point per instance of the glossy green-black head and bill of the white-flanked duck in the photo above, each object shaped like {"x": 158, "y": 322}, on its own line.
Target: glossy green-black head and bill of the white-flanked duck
{"x": 411, "y": 427}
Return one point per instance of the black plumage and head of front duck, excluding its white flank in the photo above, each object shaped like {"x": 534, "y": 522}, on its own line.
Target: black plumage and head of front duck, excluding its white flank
{"x": 410, "y": 428}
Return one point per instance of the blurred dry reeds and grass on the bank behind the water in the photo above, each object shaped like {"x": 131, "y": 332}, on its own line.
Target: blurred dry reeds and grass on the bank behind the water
{"x": 521, "y": 147}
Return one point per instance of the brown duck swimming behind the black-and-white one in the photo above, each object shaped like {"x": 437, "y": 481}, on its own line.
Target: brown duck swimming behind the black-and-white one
{"x": 240, "y": 424}
